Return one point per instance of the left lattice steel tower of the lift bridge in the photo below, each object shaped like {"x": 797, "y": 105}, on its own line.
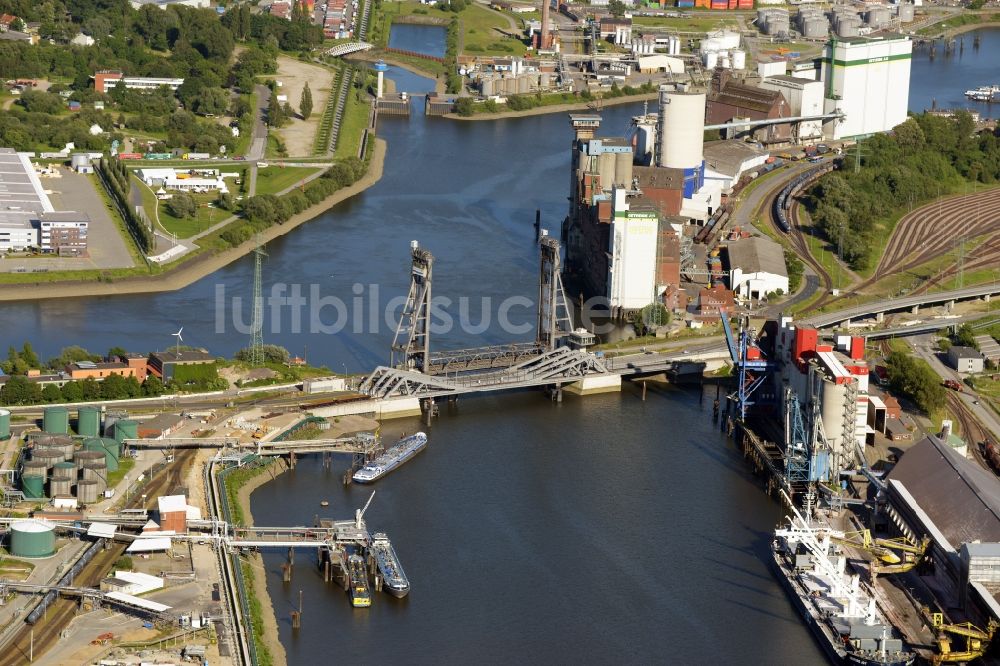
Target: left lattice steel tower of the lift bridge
{"x": 411, "y": 346}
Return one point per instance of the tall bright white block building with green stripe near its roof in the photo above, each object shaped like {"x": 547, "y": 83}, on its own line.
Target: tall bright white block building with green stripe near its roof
{"x": 868, "y": 79}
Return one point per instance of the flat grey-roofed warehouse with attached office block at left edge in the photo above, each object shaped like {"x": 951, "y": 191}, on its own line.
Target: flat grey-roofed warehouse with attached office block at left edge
{"x": 27, "y": 217}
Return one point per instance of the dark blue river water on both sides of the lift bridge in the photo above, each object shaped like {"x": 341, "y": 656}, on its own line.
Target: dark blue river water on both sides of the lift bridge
{"x": 599, "y": 529}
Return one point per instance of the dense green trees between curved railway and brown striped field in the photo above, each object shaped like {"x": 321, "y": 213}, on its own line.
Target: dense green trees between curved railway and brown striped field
{"x": 925, "y": 157}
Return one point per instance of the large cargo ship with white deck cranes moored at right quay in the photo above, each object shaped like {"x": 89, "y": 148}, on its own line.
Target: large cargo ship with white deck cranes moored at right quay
{"x": 839, "y": 609}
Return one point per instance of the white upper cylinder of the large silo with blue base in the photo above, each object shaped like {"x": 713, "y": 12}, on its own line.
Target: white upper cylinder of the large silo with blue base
{"x": 682, "y": 129}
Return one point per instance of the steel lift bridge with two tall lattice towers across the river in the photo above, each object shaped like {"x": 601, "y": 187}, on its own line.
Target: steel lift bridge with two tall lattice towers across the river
{"x": 414, "y": 370}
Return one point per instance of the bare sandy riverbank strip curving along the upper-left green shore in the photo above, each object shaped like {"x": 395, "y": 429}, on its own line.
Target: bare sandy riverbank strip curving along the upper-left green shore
{"x": 201, "y": 266}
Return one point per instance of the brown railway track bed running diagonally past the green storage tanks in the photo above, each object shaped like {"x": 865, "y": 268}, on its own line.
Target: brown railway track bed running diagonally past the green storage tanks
{"x": 34, "y": 640}
